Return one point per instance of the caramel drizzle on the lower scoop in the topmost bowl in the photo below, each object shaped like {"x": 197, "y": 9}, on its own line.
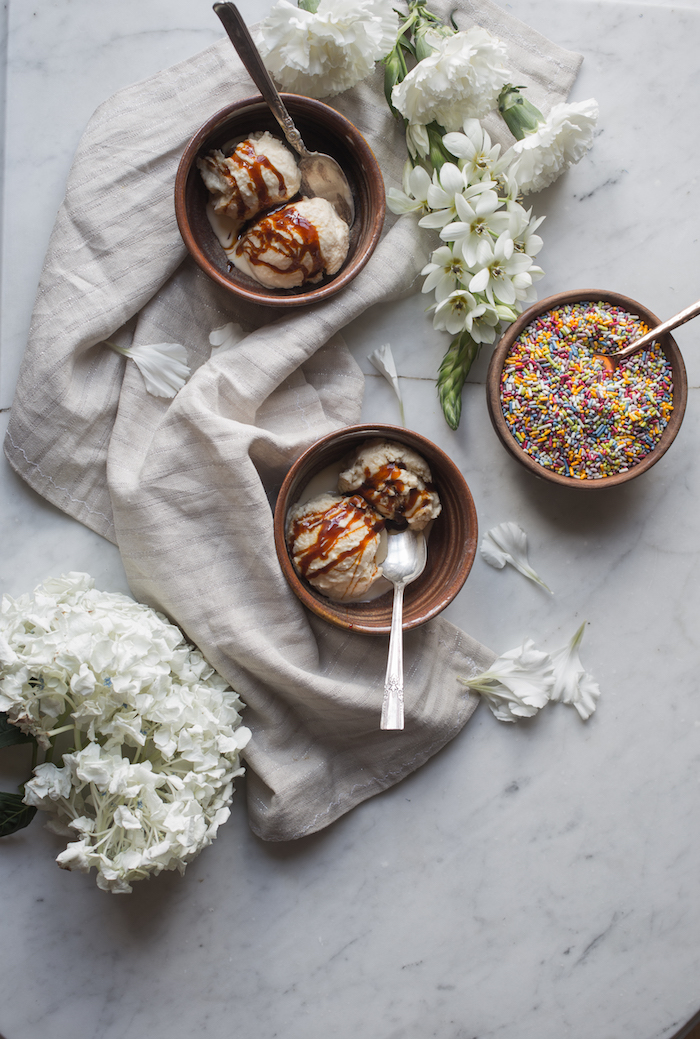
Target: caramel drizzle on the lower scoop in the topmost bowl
{"x": 290, "y": 236}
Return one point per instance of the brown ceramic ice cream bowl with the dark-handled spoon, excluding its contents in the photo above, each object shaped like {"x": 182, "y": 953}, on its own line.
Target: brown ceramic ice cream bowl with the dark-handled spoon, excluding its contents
{"x": 322, "y": 129}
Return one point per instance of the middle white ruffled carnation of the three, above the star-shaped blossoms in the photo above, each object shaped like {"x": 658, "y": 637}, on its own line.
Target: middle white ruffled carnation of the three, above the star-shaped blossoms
{"x": 462, "y": 78}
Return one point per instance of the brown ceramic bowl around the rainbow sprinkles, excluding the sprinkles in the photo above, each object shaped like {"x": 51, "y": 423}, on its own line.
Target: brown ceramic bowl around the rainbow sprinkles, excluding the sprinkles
{"x": 669, "y": 347}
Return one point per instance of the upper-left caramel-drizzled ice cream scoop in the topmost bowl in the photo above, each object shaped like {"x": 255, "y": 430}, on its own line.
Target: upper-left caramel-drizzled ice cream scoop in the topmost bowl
{"x": 260, "y": 173}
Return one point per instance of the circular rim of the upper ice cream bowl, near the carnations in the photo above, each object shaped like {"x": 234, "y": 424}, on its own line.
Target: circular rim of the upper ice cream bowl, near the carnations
{"x": 367, "y": 161}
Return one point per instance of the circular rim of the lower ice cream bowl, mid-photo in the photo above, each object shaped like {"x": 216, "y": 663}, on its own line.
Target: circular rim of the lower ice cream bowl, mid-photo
{"x": 329, "y": 609}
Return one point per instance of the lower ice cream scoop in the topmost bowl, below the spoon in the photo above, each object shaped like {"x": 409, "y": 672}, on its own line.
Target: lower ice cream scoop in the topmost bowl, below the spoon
{"x": 299, "y": 244}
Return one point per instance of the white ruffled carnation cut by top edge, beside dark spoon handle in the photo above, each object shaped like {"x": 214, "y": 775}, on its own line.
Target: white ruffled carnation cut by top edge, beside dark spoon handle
{"x": 320, "y": 54}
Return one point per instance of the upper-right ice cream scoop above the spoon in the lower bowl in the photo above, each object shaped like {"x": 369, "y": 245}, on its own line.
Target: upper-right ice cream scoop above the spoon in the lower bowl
{"x": 395, "y": 481}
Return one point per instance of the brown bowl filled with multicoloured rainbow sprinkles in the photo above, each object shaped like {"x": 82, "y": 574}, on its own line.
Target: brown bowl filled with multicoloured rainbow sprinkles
{"x": 566, "y": 415}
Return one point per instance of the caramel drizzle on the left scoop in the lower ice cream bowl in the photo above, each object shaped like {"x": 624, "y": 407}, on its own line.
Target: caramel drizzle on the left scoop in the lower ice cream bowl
{"x": 331, "y": 528}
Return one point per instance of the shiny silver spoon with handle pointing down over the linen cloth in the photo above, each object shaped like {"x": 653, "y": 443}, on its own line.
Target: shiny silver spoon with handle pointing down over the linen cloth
{"x": 407, "y": 556}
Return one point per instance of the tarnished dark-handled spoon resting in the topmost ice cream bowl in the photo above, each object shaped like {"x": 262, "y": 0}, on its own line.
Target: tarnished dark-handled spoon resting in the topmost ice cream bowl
{"x": 321, "y": 176}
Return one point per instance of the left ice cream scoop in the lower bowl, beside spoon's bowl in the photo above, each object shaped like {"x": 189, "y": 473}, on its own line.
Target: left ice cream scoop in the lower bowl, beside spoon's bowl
{"x": 334, "y": 542}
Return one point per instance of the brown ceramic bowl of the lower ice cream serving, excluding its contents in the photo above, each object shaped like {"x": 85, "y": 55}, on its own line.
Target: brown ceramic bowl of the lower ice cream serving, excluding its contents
{"x": 452, "y": 545}
